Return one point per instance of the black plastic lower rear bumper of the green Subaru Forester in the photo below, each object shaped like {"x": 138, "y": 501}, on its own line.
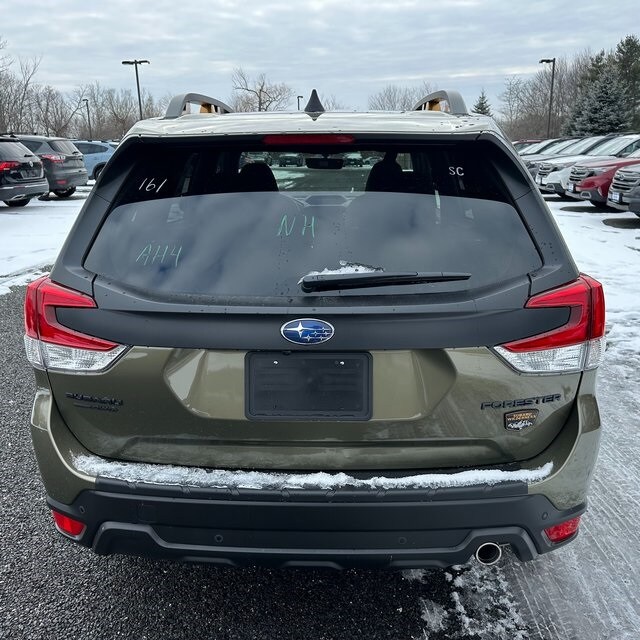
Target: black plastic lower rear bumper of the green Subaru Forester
{"x": 299, "y": 527}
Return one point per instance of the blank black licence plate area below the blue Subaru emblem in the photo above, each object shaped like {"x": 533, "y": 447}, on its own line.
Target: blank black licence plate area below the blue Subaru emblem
{"x": 308, "y": 386}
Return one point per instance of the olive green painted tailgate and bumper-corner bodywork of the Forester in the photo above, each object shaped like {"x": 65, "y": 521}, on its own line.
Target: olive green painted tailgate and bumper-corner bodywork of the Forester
{"x": 186, "y": 407}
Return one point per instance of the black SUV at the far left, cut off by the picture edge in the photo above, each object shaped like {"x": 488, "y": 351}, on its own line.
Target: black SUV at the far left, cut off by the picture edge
{"x": 21, "y": 173}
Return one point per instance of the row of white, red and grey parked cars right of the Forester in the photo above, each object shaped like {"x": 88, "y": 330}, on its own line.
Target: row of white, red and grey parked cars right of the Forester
{"x": 605, "y": 170}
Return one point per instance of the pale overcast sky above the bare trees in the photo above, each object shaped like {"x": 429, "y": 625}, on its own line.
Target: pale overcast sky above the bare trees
{"x": 349, "y": 49}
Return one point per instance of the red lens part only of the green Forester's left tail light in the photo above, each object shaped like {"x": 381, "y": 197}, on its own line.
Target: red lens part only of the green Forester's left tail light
{"x": 42, "y": 299}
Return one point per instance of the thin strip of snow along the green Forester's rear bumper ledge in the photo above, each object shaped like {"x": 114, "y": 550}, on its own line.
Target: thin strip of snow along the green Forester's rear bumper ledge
{"x": 219, "y": 478}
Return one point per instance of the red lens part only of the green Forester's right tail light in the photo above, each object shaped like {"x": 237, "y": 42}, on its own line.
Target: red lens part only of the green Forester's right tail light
{"x": 585, "y": 298}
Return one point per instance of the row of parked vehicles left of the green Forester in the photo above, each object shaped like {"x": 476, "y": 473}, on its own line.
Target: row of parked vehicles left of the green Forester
{"x": 33, "y": 166}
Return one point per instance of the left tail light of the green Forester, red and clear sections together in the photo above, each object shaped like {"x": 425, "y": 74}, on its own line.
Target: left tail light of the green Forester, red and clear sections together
{"x": 49, "y": 344}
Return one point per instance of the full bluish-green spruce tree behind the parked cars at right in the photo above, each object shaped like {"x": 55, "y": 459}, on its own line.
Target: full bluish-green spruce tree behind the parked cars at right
{"x": 600, "y": 110}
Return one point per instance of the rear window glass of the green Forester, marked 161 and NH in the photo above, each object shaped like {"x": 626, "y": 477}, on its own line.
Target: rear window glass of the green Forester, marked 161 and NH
{"x": 233, "y": 224}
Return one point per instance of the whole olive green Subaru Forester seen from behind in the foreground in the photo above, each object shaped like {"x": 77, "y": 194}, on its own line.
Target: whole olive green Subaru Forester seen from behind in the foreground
{"x": 391, "y": 367}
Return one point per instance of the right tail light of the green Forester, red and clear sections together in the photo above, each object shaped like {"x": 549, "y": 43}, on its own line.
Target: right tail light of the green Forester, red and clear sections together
{"x": 575, "y": 346}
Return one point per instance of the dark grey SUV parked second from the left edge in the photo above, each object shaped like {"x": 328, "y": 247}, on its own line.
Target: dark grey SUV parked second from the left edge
{"x": 63, "y": 163}
